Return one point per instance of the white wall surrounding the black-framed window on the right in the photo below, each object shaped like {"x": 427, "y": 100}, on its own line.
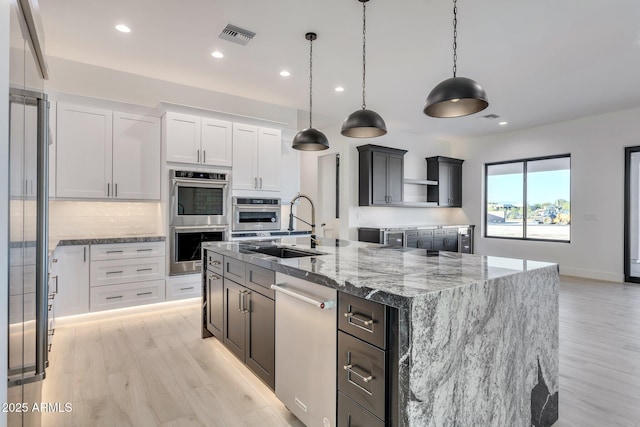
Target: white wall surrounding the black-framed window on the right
{"x": 596, "y": 145}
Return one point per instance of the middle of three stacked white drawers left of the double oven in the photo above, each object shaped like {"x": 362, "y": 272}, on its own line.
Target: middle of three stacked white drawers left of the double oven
{"x": 126, "y": 270}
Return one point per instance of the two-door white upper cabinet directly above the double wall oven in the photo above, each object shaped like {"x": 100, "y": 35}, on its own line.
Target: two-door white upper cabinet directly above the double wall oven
{"x": 198, "y": 140}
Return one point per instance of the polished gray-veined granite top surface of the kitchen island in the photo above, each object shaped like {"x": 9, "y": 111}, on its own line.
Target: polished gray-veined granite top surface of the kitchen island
{"x": 380, "y": 273}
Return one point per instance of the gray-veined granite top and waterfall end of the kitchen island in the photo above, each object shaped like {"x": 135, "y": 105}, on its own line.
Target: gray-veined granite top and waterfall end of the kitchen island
{"x": 477, "y": 336}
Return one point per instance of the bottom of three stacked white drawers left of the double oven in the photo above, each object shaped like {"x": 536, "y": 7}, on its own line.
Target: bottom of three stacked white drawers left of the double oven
{"x": 126, "y": 295}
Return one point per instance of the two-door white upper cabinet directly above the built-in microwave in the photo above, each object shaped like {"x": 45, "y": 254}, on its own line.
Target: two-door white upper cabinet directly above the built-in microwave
{"x": 257, "y": 158}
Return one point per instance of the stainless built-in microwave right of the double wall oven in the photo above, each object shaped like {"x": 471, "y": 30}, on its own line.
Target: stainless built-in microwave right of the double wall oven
{"x": 256, "y": 214}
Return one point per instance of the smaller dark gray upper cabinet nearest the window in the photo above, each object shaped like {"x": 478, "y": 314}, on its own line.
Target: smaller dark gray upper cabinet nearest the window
{"x": 448, "y": 173}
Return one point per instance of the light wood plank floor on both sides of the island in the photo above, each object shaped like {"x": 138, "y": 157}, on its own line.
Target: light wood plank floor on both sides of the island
{"x": 153, "y": 369}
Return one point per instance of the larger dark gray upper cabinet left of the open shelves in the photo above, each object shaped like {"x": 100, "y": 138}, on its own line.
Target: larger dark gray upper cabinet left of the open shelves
{"x": 381, "y": 175}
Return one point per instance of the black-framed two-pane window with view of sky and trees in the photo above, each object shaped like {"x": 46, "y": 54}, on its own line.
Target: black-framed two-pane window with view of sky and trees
{"x": 529, "y": 199}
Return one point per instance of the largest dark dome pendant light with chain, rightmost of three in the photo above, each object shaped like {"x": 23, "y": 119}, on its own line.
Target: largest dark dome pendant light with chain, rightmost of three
{"x": 457, "y": 96}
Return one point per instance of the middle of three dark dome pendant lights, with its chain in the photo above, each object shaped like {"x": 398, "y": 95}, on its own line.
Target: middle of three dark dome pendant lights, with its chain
{"x": 363, "y": 123}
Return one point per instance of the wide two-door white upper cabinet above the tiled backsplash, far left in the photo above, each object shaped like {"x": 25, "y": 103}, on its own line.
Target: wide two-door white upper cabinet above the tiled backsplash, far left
{"x": 102, "y": 154}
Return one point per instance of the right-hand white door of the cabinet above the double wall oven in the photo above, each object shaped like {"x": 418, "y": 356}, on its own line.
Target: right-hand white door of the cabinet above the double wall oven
{"x": 216, "y": 143}
